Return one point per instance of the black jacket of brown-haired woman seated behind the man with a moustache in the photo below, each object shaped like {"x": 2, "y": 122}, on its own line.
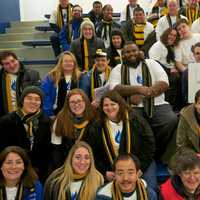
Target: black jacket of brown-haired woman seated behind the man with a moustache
{"x": 143, "y": 144}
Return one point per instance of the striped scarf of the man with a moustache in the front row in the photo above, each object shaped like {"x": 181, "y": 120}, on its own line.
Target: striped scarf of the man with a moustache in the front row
{"x": 140, "y": 189}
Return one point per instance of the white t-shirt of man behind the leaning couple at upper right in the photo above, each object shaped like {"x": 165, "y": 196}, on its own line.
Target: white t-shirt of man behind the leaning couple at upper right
{"x": 163, "y": 25}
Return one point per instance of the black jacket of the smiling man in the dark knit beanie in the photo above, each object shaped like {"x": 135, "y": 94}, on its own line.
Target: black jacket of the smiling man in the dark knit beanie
{"x": 14, "y": 133}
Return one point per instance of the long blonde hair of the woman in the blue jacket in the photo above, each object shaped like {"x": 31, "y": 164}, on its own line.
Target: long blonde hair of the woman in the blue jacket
{"x": 57, "y": 72}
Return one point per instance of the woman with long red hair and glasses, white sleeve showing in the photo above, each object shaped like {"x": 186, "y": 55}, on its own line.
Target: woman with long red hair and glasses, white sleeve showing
{"x": 73, "y": 123}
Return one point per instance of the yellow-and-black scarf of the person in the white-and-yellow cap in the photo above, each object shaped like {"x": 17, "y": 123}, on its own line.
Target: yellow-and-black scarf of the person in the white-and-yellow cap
{"x": 96, "y": 80}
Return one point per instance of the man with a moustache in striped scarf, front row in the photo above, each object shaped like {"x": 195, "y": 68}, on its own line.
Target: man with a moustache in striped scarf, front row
{"x": 127, "y": 183}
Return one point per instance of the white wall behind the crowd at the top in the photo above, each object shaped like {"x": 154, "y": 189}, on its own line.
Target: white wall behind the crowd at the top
{"x": 35, "y": 9}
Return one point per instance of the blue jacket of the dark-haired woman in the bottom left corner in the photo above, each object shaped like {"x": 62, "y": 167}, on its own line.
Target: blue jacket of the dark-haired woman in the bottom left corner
{"x": 36, "y": 195}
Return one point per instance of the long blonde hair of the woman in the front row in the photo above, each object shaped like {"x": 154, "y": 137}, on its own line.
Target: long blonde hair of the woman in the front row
{"x": 64, "y": 175}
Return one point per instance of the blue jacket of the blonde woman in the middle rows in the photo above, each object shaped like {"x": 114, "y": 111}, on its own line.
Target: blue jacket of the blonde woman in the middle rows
{"x": 49, "y": 89}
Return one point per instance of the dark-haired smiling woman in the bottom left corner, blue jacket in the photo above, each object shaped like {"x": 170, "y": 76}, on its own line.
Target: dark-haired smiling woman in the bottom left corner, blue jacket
{"x": 18, "y": 180}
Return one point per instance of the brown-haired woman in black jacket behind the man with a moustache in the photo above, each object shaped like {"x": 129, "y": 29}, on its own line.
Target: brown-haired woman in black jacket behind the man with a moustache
{"x": 121, "y": 130}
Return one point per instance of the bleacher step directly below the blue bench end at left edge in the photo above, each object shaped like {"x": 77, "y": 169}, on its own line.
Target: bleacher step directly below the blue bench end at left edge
{"x": 25, "y": 36}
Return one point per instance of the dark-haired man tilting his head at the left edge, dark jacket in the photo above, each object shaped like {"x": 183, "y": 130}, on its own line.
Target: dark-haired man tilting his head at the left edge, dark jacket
{"x": 14, "y": 77}
